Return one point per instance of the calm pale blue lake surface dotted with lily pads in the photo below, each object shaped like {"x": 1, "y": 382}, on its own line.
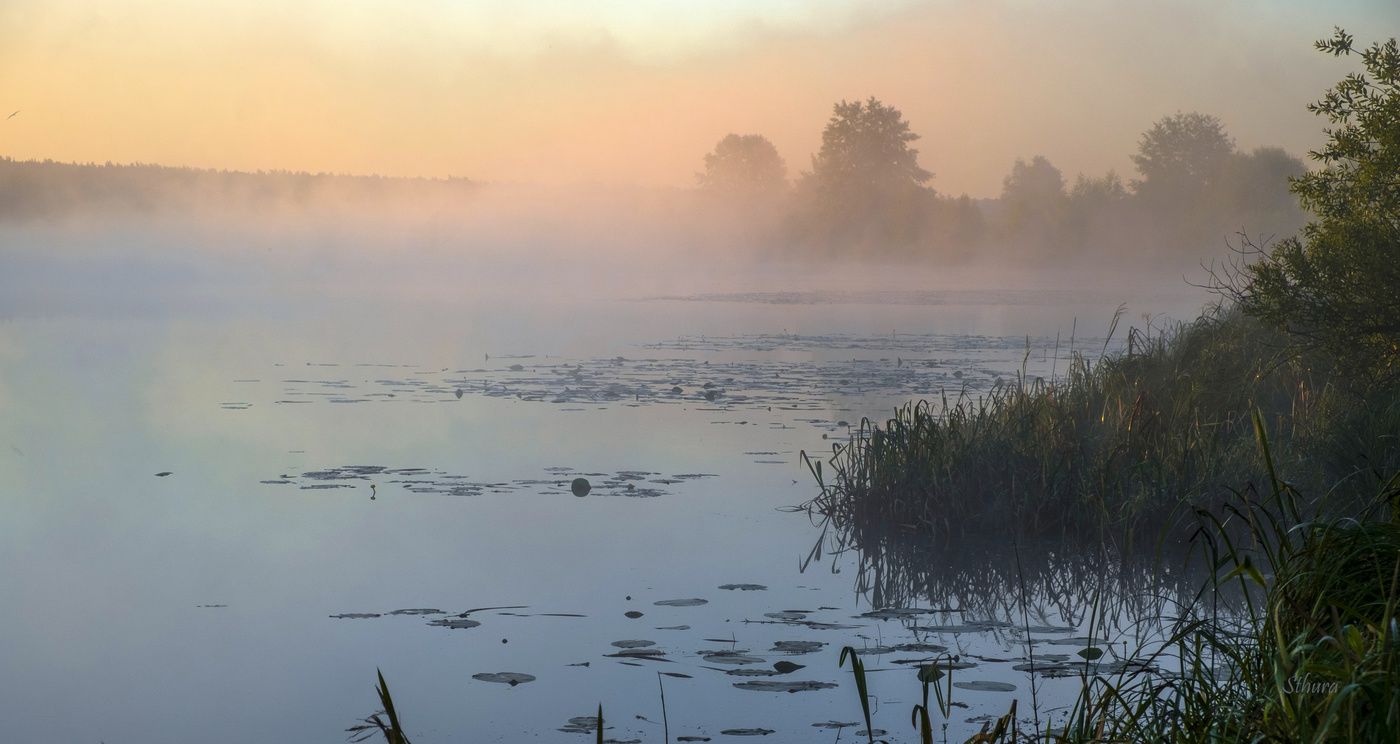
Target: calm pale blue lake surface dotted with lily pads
{"x": 219, "y": 603}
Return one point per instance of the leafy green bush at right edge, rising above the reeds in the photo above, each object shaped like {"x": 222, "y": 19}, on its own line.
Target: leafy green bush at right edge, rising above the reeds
{"x": 1339, "y": 285}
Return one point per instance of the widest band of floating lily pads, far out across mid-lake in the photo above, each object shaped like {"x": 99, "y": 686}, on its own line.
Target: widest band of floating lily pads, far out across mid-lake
{"x": 916, "y": 365}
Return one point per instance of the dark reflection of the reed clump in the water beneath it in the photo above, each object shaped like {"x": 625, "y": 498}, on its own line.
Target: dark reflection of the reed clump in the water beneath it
{"x": 997, "y": 589}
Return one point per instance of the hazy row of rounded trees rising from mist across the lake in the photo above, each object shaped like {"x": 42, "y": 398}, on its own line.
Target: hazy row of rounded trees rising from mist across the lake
{"x": 866, "y": 195}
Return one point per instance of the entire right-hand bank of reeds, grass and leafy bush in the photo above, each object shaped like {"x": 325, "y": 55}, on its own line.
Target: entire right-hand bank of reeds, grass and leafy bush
{"x": 1265, "y": 435}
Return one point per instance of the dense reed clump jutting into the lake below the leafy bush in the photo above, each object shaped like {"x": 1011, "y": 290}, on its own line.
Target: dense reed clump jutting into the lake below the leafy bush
{"x": 1128, "y": 443}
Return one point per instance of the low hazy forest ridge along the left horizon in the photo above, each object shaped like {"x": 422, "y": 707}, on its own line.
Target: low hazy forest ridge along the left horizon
{"x": 43, "y": 190}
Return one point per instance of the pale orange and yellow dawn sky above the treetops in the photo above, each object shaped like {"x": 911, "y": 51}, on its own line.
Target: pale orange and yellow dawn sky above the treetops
{"x": 591, "y": 92}
